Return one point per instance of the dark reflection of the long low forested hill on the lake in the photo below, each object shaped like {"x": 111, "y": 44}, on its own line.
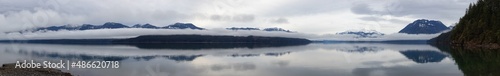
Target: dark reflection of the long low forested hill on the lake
{"x": 180, "y": 46}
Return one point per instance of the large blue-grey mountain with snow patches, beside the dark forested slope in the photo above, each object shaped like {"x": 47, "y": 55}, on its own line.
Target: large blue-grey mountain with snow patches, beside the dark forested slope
{"x": 423, "y": 26}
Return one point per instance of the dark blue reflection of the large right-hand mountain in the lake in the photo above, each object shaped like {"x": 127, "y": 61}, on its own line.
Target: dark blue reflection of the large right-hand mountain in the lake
{"x": 423, "y": 56}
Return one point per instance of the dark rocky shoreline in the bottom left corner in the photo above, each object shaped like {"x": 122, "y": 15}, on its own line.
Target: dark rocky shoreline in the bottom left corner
{"x": 10, "y": 70}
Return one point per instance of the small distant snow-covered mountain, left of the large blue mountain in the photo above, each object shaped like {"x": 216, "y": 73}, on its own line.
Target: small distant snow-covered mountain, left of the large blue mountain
{"x": 363, "y": 33}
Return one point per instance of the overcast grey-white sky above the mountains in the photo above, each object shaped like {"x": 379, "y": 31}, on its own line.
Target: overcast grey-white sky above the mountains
{"x": 305, "y": 16}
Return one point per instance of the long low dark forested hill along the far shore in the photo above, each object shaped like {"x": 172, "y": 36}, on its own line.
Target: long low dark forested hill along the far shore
{"x": 208, "y": 39}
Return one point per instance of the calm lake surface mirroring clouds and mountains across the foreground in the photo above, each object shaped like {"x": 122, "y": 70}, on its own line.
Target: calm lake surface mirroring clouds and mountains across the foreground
{"x": 316, "y": 59}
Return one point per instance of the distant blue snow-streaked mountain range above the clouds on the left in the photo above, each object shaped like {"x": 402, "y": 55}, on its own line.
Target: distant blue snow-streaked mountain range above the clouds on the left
{"x": 110, "y": 25}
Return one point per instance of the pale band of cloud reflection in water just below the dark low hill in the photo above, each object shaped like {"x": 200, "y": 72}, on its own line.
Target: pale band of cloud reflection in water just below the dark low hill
{"x": 119, "y": 50}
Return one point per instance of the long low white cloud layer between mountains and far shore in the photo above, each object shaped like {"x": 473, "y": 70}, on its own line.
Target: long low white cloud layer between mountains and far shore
{"x": 134, "y": 32}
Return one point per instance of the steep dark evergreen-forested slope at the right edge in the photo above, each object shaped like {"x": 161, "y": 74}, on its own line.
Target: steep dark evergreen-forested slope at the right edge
{"x": 478, "y": 28}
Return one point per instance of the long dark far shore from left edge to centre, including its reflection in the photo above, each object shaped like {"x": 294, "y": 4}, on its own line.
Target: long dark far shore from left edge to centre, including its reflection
{"x": 181, "y": 41}
